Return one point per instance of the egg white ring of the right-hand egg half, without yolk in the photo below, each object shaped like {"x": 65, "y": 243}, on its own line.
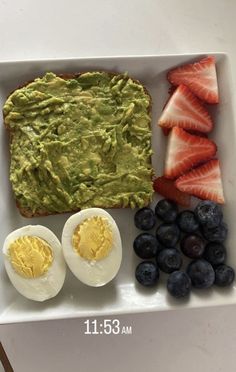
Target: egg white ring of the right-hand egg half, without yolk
{"x": 94, "y": 273}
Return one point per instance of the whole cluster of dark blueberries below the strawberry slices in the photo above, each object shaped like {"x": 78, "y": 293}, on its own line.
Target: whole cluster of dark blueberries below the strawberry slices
{"x": 198, "y": 235}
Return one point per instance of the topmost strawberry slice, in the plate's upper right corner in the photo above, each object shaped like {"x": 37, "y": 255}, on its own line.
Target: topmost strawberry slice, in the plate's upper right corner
{"x": 200, "y": 77}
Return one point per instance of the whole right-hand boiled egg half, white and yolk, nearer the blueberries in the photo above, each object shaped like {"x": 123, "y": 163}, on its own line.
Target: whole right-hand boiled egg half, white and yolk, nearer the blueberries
{"x": 92, "y": 246}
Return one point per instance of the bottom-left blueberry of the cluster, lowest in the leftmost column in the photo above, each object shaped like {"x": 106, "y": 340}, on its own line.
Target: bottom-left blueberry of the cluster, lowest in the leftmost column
{"x": 147, "y": 273}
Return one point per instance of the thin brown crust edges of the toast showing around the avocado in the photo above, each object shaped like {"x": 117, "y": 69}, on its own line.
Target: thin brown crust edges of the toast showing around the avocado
{"x": 27, "y": 212}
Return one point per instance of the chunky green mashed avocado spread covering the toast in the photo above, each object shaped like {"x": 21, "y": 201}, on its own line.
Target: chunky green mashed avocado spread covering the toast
{"x": 80, "y": 142}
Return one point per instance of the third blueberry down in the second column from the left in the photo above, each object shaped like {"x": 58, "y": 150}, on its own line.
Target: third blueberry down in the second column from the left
{"x": 169, "y": 260}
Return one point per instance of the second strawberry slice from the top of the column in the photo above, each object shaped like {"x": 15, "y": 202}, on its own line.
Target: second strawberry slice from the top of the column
{"x": 184, "y": 110}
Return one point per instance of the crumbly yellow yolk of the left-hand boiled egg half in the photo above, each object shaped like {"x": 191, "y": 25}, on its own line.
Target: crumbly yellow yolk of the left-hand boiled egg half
{"x": 30, "y": 256}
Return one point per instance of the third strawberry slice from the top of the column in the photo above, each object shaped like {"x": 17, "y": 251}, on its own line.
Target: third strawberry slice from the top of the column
{"x": 184, "y": 151}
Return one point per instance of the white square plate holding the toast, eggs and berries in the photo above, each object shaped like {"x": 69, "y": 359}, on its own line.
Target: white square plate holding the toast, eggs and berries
{"x": 122, "y": 295}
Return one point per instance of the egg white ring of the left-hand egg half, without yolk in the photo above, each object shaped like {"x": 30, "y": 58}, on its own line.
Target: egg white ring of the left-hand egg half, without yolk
{"x": 50, "y": 283}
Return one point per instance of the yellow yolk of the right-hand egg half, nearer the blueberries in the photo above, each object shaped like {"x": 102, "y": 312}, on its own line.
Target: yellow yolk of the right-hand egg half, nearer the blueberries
{"x": 92, "y": 239}
